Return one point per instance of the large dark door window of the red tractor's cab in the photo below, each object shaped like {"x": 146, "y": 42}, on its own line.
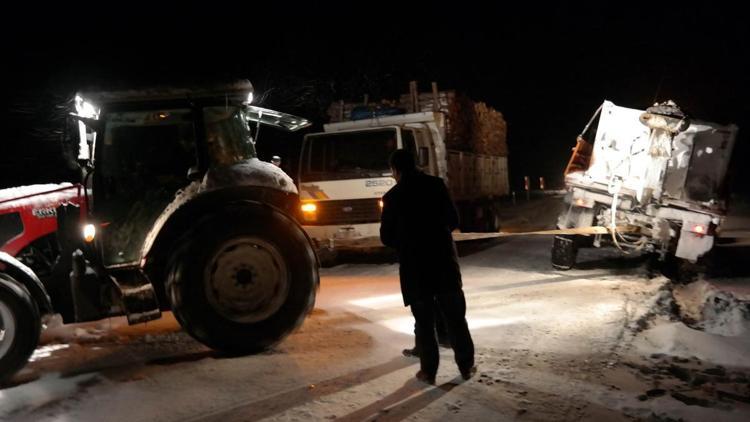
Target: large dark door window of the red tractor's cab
{"x": 143, "y": 161}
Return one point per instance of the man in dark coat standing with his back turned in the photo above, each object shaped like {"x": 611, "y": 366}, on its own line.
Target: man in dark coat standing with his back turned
{"x": 418, "y": 218}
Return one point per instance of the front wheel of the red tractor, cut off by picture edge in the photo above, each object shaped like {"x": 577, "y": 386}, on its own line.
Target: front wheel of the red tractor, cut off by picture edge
{"x": 19, "y": 326}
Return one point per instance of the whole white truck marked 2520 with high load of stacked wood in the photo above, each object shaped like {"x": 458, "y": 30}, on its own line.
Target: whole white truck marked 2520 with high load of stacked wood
{"x": 343, "y": 171}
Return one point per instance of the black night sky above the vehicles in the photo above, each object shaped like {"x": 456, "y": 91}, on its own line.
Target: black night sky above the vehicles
{"x": 546, "y": 68}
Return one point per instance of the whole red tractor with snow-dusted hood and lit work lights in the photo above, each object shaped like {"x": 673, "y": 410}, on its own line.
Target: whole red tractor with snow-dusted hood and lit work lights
{"x": 175, "y": 211}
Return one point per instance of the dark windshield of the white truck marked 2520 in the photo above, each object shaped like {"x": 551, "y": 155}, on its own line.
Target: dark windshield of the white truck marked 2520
{"x": 348, "y": 155}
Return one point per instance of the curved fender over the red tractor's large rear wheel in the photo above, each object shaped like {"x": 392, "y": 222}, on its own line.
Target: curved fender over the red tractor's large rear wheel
{"x": 170, "y": 228}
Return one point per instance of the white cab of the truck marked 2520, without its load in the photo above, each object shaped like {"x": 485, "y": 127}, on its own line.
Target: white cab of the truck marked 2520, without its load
{"x": 344, "y": 173}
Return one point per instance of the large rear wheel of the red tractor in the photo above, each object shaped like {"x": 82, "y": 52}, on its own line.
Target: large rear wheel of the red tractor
{"x": 242, "y": 279}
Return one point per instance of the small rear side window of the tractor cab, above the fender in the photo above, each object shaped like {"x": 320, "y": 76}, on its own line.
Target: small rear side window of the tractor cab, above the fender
{"x": 227, "y": 135}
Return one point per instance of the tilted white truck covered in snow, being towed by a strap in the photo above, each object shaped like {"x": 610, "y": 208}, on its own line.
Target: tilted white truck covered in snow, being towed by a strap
{"x": 650, "y": 180}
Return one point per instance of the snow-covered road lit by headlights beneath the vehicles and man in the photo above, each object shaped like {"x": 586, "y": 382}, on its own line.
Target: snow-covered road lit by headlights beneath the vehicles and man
{"x": 550, "y": 346}
